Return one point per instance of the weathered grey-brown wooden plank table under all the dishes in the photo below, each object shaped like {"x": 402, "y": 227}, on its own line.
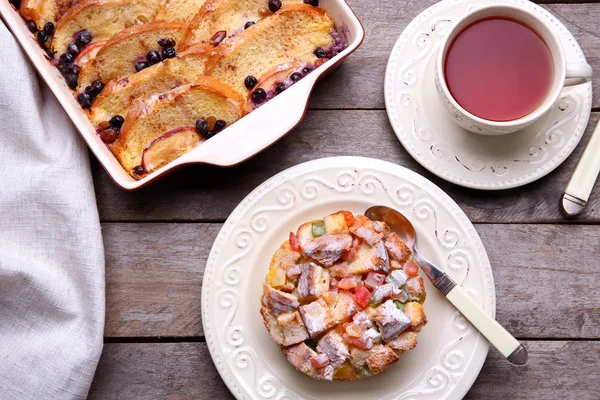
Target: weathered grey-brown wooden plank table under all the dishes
{"x": 546, "y": 268}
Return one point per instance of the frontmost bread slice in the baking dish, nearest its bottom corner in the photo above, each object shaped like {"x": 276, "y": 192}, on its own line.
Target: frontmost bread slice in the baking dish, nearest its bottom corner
{"x": 151, "y": 118}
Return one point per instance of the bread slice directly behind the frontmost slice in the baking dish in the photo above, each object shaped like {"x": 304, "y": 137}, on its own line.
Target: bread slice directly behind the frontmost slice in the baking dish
{"x": 119, "y": 95}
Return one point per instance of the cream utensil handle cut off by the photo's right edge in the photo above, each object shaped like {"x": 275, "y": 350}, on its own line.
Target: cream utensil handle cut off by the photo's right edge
{"x": 582, "y": 182}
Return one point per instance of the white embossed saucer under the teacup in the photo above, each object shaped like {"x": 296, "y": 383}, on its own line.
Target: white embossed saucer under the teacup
{"x": 427, "y": 132}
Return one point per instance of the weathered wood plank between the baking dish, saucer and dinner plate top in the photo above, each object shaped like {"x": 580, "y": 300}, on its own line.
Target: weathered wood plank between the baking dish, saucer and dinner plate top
{"x": 205, "y": 193}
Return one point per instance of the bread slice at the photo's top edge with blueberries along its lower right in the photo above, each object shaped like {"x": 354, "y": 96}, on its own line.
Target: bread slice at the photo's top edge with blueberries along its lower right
{"x": 226, "y": 15}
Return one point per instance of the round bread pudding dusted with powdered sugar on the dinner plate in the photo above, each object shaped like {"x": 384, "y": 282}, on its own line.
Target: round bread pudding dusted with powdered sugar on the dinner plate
{"x": 343, "y": 298}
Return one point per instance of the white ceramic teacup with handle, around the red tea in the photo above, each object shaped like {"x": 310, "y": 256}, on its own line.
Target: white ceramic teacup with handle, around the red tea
{"x": 565, "y": 74}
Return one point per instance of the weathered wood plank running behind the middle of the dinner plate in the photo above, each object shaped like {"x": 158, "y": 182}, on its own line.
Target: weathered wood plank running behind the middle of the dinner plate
{"x": 546, "y": 278}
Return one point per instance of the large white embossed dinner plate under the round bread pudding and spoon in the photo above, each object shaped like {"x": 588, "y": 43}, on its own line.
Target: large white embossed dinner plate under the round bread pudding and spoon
{"x": 450, "y": 352}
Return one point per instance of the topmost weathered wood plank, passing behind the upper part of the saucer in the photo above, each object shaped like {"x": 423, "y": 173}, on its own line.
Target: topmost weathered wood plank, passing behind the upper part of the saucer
{"x": 359, "y": 81}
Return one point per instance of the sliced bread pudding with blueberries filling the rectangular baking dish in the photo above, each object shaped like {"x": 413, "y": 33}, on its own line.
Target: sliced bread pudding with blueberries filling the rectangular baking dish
{"x": 159, "y": 77}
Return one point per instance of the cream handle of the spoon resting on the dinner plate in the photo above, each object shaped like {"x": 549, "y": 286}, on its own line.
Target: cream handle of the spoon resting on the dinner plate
{"x": 488, "y": 326}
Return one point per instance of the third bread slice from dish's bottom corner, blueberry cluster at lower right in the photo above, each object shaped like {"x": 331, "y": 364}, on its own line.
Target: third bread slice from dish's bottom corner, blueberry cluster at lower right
{"x": 117, "y": 58}
